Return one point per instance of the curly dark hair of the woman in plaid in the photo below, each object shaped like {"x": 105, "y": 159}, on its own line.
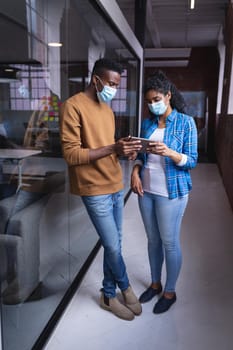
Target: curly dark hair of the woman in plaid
{"x": 159, "y": 82}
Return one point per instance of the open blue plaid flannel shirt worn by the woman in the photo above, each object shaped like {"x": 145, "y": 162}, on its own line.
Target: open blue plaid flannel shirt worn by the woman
{"x": 181, "y": 136}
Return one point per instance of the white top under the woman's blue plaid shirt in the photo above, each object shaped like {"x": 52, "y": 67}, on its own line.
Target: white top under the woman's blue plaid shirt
{"x": 154, "y": 179}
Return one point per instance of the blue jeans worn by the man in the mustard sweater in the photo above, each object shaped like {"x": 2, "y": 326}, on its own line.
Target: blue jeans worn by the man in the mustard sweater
{"x": 106, "y": 213}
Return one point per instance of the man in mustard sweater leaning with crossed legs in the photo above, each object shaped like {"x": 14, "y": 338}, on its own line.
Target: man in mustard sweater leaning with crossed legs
{"x": 87, "y": 129}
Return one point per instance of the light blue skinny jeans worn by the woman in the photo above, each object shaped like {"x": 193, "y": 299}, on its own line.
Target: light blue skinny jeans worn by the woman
{"x": 162, "y": 219}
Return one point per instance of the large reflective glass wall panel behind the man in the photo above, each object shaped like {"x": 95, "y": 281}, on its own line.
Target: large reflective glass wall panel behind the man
{"x": 48, "y": 48}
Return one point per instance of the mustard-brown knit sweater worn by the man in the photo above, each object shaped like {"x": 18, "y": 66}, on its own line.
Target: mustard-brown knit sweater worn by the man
{"x": 86, "y": 124}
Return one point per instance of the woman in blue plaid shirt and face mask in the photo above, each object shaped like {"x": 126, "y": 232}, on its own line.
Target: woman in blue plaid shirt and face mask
{"x": 162, "y": 181}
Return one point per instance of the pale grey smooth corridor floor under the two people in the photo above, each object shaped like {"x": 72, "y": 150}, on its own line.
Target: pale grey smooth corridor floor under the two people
{"x": 202, "y": 317}
